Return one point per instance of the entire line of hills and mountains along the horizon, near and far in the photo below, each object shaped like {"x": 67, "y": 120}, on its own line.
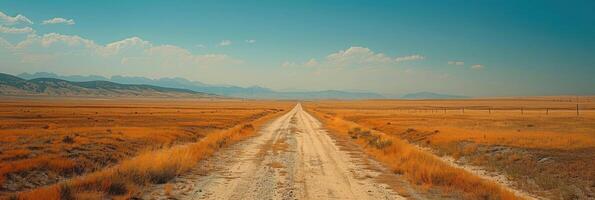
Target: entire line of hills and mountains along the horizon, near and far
{"x": 43, "y": 83}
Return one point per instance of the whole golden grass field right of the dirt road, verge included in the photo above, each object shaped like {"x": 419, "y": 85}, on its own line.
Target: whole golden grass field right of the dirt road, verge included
{"x": 544, "y": 149}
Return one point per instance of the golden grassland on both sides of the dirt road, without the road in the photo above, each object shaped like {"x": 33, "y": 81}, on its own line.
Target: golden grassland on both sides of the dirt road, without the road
{"x": 113, "y": 148}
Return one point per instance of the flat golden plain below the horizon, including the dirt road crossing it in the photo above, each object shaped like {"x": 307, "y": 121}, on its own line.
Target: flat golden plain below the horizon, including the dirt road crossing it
{"x": 506, "y": 148}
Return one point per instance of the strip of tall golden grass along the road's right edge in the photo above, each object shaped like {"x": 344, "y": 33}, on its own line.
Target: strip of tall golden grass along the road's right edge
{"x": 420, "y": 168}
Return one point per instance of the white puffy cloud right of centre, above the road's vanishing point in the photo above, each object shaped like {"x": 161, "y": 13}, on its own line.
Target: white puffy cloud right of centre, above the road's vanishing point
{"x": 359, "y": 57}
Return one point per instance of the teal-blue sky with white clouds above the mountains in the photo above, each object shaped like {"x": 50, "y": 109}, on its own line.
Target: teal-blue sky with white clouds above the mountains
{"x": 475, "y": 48}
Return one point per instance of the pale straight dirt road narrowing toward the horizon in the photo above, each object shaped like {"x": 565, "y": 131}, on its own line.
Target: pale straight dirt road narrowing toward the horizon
{"x": 291, "y": 158}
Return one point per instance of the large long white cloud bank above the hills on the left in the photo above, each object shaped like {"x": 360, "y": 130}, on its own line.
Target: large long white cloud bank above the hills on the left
{"x": 132, "y": 52}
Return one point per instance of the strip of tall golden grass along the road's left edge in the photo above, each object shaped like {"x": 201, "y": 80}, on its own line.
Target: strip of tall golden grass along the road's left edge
{"x": 126, "y": 180}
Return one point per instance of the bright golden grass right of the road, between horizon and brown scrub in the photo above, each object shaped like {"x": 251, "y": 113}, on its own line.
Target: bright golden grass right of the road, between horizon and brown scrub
{"x": 503, "y": 124}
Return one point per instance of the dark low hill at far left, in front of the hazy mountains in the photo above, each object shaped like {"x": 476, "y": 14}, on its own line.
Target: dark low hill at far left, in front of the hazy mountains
{"x": 13, "y": 85}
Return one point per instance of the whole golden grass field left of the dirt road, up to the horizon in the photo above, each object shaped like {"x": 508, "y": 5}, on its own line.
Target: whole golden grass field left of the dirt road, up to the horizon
{"x": 48, "y": 141}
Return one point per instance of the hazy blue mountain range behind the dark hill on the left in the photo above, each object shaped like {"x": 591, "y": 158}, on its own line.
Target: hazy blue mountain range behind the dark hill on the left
{"x": 254, "y": 92}
